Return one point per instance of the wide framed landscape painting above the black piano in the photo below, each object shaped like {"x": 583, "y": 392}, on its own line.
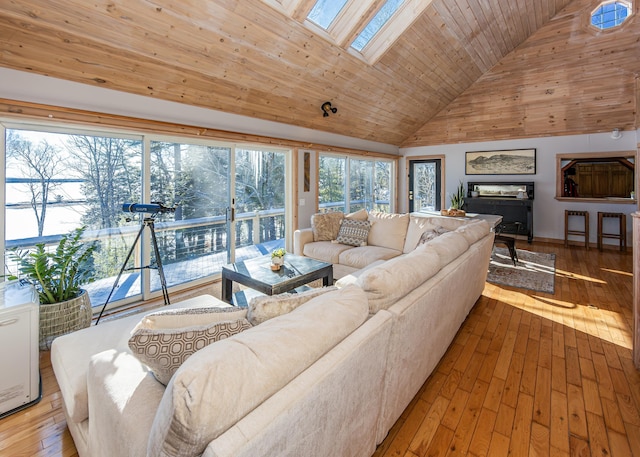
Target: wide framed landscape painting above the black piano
{"x": 507, "y": 162}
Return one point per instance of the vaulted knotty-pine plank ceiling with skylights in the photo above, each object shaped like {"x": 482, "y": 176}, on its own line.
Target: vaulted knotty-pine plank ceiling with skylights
{"x": 248, "y": 58}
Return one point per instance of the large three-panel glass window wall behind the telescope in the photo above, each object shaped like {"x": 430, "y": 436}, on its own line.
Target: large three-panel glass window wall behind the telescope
{"x": 229, "y": 203}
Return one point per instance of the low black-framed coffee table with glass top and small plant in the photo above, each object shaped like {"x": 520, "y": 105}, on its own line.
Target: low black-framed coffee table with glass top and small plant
{"x": 257, "y": 275}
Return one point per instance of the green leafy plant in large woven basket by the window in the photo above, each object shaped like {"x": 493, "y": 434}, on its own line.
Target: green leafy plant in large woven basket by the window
{"x": 58, "y": 276}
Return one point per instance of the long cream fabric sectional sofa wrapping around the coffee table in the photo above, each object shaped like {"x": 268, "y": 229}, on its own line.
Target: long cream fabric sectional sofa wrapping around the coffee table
{"x": 329, "y": 378}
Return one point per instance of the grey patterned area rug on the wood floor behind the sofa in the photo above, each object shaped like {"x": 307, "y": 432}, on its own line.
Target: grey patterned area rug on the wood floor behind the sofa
{"x": 534, "y": 271}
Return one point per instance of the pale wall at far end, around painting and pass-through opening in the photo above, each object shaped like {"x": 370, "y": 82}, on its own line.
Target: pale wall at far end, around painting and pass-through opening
{"x": 548, "y": 212}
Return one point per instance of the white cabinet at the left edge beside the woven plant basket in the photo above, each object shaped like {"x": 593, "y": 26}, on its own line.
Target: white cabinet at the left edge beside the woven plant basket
{"x": 19, "y": 353}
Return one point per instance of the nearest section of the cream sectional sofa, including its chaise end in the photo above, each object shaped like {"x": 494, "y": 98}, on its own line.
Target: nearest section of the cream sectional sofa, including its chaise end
{"x": 131, "y": 414}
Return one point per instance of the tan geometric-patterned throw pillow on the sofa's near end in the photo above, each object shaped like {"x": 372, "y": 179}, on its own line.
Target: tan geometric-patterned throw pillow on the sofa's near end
{"x": 164, "y": 350}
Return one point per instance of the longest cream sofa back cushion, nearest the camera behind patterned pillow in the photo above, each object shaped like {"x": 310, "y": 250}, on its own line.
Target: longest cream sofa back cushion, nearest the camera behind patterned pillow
{"x": 220, "y": 384}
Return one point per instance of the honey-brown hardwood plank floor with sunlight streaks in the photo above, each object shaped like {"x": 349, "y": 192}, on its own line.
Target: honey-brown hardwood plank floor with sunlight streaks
{"x": 528, "y": 374}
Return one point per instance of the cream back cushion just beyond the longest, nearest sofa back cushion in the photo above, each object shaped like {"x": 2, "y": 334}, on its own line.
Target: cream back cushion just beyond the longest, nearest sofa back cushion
{"x": 387, "y": 283}
